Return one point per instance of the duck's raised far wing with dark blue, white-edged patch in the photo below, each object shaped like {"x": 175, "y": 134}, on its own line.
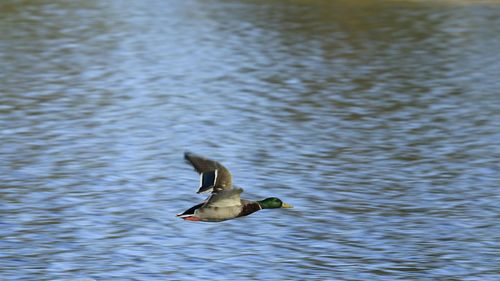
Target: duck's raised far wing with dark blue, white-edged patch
{"x": 213, "y": 176}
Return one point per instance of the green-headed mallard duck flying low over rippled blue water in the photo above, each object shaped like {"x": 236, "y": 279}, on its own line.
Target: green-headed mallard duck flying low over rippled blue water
{"x": 224, "y": 203}
